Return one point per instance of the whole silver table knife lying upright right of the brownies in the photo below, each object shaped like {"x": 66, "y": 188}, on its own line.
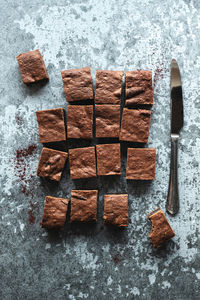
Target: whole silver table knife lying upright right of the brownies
{"x": 172, "y": 206}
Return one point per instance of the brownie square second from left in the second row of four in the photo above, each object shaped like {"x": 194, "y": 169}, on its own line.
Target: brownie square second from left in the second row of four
{"x": 80, "y": 122}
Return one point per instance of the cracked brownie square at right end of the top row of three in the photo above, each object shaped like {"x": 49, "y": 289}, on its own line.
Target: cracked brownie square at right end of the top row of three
{"x": 139, "y": 89}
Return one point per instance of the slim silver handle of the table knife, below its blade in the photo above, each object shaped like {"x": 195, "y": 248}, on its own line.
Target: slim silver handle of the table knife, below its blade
{"x": 173, "y": 197}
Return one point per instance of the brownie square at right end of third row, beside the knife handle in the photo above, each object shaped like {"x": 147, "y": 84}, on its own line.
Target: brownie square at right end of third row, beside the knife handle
{"x": 141, "y": 163}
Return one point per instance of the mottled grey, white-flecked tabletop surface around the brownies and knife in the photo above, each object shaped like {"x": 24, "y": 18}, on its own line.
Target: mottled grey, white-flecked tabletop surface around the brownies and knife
{"x": 96, "y": 262}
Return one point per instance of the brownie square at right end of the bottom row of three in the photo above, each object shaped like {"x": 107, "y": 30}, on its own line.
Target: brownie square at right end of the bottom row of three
{"x": 116, "y": 210}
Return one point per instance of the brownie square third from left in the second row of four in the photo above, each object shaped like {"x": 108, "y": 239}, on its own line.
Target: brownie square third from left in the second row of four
{"x": 107, "y": 121}
